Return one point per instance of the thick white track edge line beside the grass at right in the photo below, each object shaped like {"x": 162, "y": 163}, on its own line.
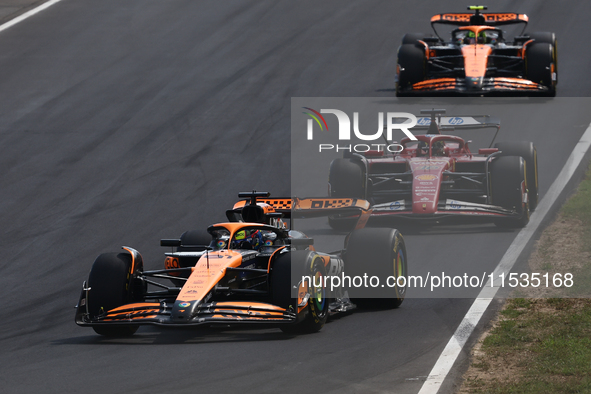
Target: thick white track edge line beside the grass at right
{"x": 481, "y": 303}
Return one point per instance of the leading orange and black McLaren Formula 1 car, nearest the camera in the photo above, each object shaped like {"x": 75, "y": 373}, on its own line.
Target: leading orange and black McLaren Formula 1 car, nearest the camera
{"x": 250, "y": 270}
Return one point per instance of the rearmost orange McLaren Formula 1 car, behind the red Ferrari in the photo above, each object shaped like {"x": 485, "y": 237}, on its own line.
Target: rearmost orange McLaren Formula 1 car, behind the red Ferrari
{"x": 479, "y": 59}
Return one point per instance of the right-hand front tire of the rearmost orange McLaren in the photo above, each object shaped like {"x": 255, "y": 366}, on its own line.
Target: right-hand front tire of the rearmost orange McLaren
{"x": 541, "y": 65}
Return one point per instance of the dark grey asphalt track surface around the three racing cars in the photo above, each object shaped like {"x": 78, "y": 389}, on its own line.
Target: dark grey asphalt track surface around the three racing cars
{"x": 125, "y": 122}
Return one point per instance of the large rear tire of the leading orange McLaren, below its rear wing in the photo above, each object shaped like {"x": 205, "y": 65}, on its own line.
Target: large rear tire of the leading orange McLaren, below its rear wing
{"x": 377, "y": 252}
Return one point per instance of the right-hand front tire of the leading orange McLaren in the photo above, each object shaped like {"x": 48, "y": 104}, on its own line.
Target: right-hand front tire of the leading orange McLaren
{"x": 284, "y": 277}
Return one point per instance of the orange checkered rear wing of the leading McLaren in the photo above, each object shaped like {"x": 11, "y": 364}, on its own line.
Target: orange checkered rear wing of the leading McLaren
{"x": 302, "y": 208}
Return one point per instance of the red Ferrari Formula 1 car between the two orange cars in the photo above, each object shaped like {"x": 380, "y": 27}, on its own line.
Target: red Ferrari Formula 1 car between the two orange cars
{"x": 438, "y": 177}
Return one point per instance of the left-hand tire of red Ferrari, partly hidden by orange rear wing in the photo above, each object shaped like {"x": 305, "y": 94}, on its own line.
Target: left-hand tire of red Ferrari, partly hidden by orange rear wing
{"x": 346, "y": 179}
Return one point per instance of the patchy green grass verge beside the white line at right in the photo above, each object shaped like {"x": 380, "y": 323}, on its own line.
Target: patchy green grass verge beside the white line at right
{"x": 546, "y": 342}
